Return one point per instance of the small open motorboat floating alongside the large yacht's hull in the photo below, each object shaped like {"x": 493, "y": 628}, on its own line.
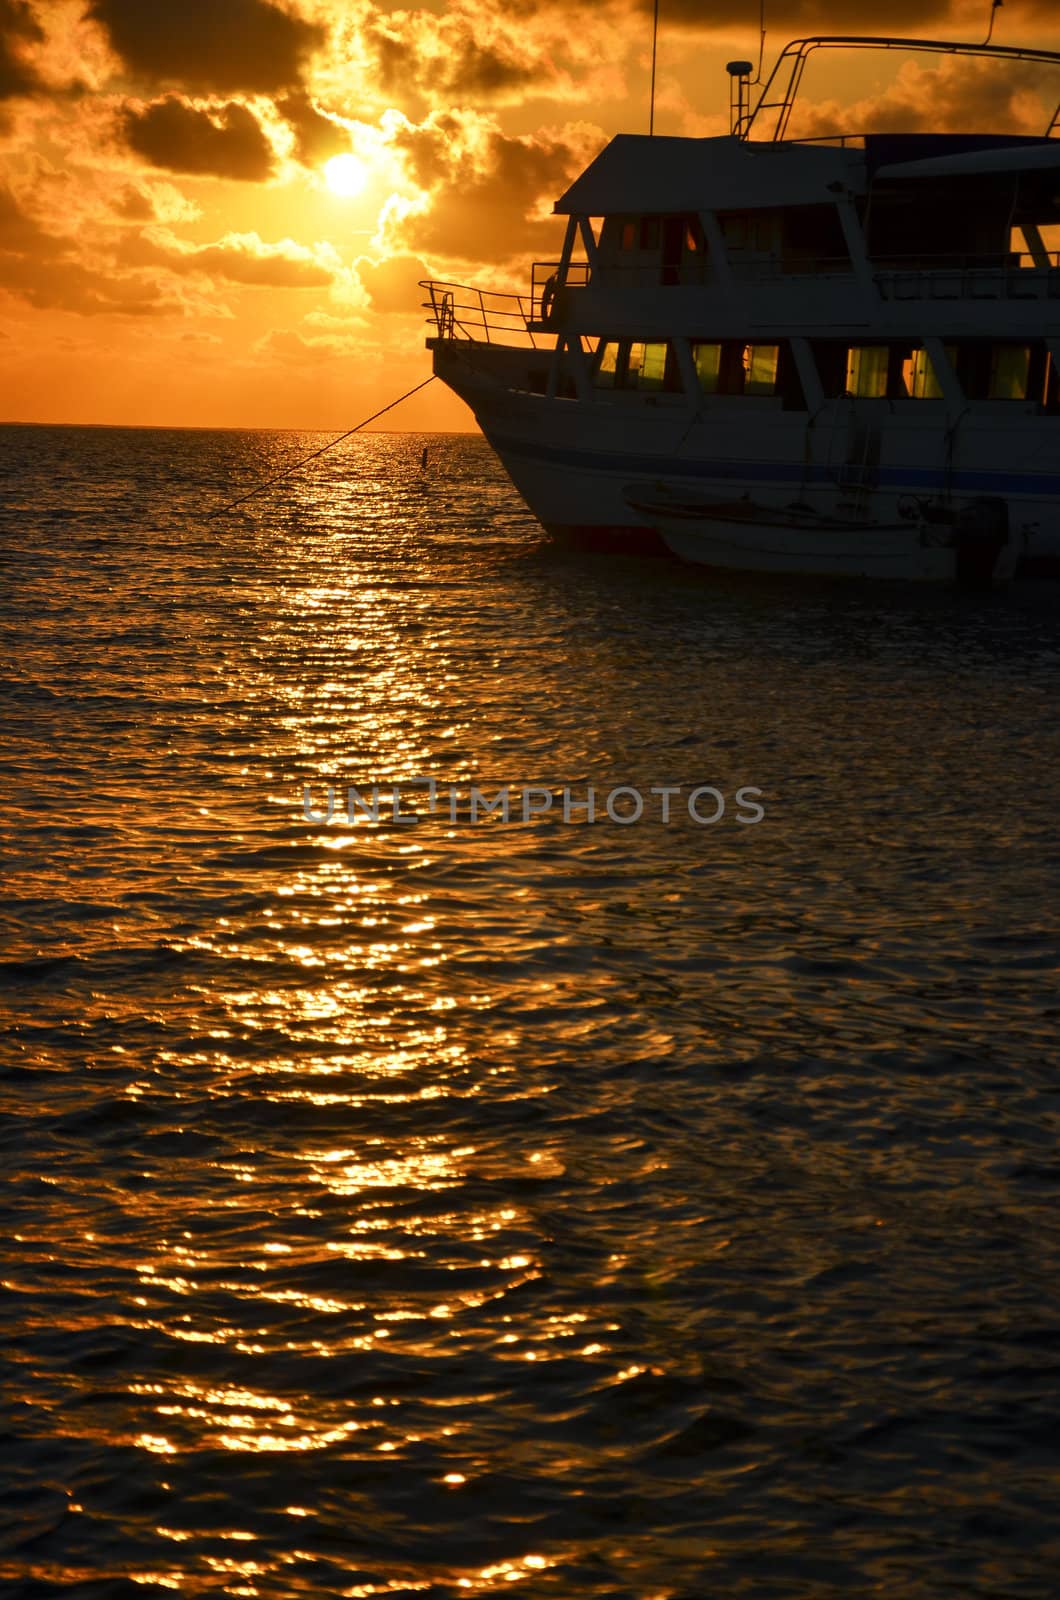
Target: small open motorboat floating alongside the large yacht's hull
{"x": 973, "y": 546}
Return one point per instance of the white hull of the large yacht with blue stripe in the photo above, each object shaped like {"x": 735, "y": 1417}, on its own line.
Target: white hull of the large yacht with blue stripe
{"x": 574, "y": 463}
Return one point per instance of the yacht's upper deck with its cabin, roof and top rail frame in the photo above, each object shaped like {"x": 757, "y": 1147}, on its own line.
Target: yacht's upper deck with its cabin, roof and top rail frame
{"x": 880, "y": 234}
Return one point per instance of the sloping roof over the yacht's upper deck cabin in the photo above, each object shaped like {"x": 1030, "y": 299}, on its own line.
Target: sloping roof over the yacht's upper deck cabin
{"x": 641, "y": 174}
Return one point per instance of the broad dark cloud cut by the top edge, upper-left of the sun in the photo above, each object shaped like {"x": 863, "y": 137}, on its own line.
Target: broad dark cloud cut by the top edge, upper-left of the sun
{"x": 209, "y": 46}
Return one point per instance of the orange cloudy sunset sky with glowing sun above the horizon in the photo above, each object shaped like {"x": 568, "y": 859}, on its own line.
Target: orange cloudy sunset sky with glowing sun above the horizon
{"x": 215, "y": 214}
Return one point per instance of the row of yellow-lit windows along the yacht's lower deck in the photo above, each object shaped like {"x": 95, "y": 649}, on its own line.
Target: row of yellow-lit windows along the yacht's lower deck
{"x": 869, "y": 372}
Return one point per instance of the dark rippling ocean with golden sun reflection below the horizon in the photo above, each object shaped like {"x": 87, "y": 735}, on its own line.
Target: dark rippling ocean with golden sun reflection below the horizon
{"x": 472, "y": 1194}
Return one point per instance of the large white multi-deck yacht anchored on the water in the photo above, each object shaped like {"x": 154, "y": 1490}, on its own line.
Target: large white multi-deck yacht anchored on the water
{"x": 867, "y": 326}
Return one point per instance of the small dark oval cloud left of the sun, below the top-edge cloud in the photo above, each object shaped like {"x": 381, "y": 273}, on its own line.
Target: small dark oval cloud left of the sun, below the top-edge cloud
{"x": 223, "y": 143}
